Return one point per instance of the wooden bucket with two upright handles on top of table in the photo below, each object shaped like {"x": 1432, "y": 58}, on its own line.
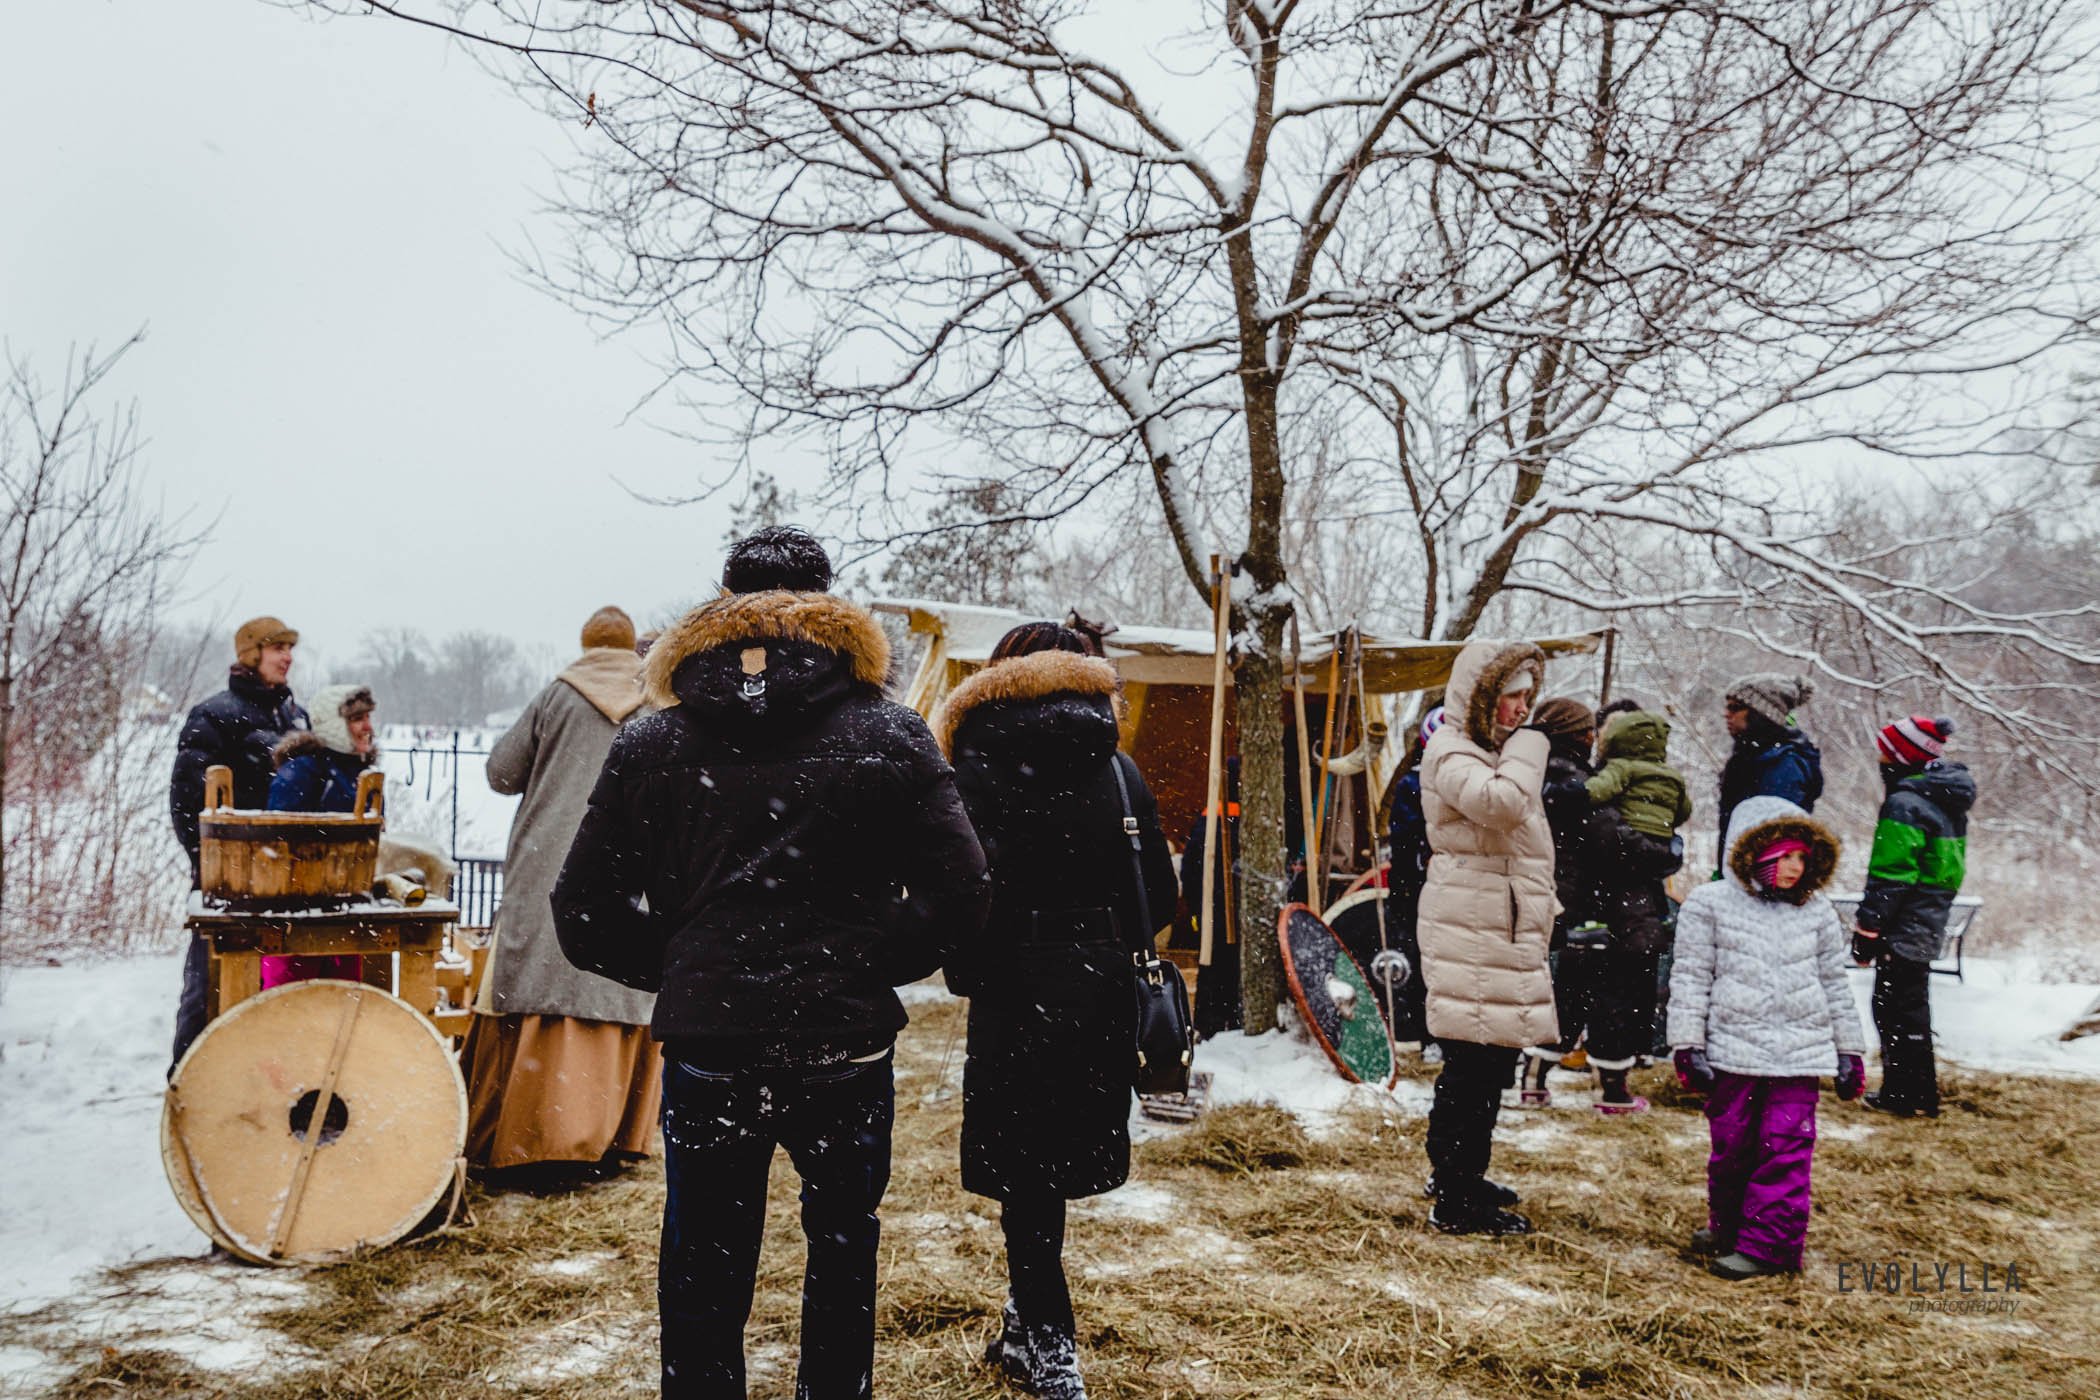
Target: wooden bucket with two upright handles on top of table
{"x": 257, "y": 860}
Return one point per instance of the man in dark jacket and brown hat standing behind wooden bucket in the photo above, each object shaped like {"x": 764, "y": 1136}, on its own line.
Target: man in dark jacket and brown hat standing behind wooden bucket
{"x": 240, "y": 727}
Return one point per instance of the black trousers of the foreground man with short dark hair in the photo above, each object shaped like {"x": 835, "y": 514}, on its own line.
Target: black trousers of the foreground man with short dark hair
{"x": 719, "y": 1137}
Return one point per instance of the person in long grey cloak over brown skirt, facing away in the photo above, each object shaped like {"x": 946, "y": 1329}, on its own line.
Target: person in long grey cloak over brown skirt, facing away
{"x": 560, "y": 1063}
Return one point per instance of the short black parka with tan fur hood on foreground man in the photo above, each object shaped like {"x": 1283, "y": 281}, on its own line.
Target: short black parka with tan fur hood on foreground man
{"x": 797, "y": 836}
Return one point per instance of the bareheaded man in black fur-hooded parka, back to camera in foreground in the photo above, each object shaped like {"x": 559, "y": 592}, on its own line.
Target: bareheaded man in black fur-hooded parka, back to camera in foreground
{"x": 772, "y": 853}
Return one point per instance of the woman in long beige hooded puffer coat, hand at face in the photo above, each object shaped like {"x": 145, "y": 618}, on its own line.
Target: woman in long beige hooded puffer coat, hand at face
{"x": 1486, "y": 920}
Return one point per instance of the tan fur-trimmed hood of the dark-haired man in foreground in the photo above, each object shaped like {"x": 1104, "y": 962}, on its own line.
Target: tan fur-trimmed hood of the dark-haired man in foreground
{"x": 763, "y": 660}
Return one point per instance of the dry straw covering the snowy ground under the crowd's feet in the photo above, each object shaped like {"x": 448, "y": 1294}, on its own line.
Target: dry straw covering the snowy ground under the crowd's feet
{"x": 1261, "y": 1260}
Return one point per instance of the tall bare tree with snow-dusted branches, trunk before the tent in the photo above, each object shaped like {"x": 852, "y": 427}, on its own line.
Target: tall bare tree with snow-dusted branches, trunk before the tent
{"x": 1534, "y": 261}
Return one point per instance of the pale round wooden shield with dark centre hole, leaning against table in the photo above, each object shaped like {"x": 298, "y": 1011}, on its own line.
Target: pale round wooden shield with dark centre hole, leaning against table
{"x": 314, "y": 1120}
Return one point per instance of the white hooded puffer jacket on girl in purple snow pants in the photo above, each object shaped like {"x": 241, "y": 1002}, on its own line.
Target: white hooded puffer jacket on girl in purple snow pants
{"x": 1761, "y": 981}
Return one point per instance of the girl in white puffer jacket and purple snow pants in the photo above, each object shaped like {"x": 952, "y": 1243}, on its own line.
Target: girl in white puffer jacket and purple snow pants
{"x": 1759, "y": 1011}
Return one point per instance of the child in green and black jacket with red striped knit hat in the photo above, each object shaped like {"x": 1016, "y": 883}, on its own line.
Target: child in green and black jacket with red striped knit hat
{"x": 1920, "y": 853}
